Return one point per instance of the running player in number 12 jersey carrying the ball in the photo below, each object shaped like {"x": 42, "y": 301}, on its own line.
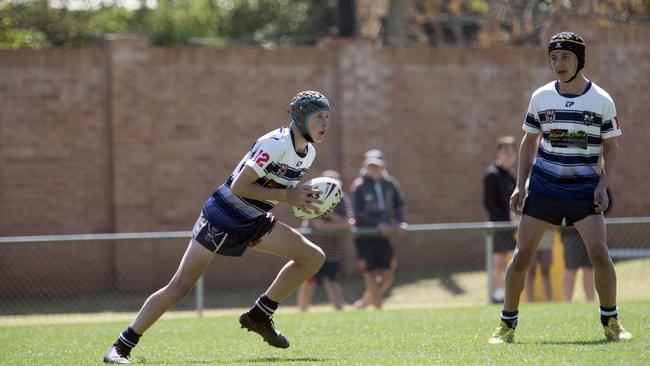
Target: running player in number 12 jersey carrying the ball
{"x": 237, "y": 216}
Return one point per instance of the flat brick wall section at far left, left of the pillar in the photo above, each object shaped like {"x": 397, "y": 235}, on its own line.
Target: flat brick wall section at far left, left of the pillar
{"x": 54, "y": 142}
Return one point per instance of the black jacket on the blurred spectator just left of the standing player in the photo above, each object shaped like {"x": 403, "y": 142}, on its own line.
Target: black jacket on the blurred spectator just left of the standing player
{"x": 498, "y": 185}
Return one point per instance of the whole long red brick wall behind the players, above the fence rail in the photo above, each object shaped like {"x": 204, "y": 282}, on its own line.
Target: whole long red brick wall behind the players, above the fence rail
{"x": 125, "y": 137}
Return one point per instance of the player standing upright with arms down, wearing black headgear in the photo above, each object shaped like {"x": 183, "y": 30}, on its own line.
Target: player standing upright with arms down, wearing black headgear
{"x": 569, "y": 123}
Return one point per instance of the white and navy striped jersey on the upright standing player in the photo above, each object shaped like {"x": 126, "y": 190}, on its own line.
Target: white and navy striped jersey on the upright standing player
{"x": 572, "y": 127}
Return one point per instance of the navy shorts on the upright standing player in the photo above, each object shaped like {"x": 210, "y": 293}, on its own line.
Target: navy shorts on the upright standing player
{"x": 555, "y": 210}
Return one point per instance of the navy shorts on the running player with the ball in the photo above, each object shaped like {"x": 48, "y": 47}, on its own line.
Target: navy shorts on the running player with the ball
{"x": 233, "y": 243}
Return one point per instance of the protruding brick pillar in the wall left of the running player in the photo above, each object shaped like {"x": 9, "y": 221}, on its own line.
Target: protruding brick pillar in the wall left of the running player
{"x": 131, "y": 128}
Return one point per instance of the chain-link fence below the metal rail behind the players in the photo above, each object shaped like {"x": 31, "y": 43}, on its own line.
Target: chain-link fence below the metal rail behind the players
{"x": 438, "y": 265}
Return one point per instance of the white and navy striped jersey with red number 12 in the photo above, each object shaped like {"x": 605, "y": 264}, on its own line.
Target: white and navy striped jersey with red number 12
{"x": 277, "y": 164}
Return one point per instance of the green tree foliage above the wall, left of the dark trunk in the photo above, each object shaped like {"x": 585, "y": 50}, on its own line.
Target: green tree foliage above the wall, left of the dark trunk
{"x": 172, "y": 23}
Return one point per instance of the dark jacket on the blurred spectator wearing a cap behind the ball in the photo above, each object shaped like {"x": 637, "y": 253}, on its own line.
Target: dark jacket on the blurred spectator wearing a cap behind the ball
{"x": 374, "y": 202}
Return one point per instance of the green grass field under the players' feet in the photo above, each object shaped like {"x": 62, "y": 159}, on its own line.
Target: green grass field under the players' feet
{"x": 550, "y": 333}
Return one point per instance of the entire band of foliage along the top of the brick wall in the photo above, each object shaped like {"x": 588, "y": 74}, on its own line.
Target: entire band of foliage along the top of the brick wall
{"x": 36, "y": 23}
